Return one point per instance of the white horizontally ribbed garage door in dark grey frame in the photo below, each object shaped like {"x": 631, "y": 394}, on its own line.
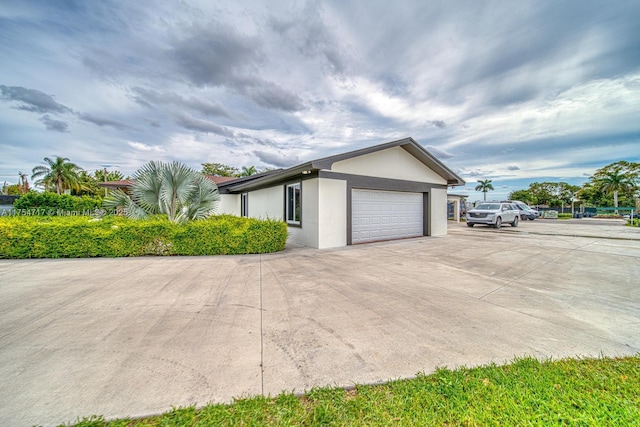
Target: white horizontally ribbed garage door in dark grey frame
{"x": 385, "y": 215}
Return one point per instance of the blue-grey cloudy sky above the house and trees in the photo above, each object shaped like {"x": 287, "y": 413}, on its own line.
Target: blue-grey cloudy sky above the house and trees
{"x": 515, "y": 92}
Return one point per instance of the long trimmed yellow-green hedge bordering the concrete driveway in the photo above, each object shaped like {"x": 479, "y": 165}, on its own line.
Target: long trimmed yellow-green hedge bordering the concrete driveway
{"x": 112, "y": 236}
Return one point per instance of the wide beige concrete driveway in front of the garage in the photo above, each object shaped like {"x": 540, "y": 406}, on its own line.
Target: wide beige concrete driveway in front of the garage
{"x": 128, "y": 337}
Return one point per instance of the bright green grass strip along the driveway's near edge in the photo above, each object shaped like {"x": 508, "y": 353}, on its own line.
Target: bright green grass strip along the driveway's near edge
{"x": 527, "y": 392}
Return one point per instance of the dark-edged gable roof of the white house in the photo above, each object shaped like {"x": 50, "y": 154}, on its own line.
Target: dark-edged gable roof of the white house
{"x": 409, "y": 144}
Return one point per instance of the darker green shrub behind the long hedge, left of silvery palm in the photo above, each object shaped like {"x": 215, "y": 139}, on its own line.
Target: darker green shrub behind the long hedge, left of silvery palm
{"x": 53, "y": 204}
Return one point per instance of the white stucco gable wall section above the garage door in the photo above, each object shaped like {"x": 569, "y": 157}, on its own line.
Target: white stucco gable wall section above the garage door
{"x": 395, "y": 163}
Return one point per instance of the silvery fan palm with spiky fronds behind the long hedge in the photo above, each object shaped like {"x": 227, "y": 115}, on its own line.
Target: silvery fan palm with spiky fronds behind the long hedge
{"x": 171, "y": 189}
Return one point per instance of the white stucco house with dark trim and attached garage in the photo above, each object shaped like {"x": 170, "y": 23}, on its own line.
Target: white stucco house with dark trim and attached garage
{"x": 388, "y": 191}
